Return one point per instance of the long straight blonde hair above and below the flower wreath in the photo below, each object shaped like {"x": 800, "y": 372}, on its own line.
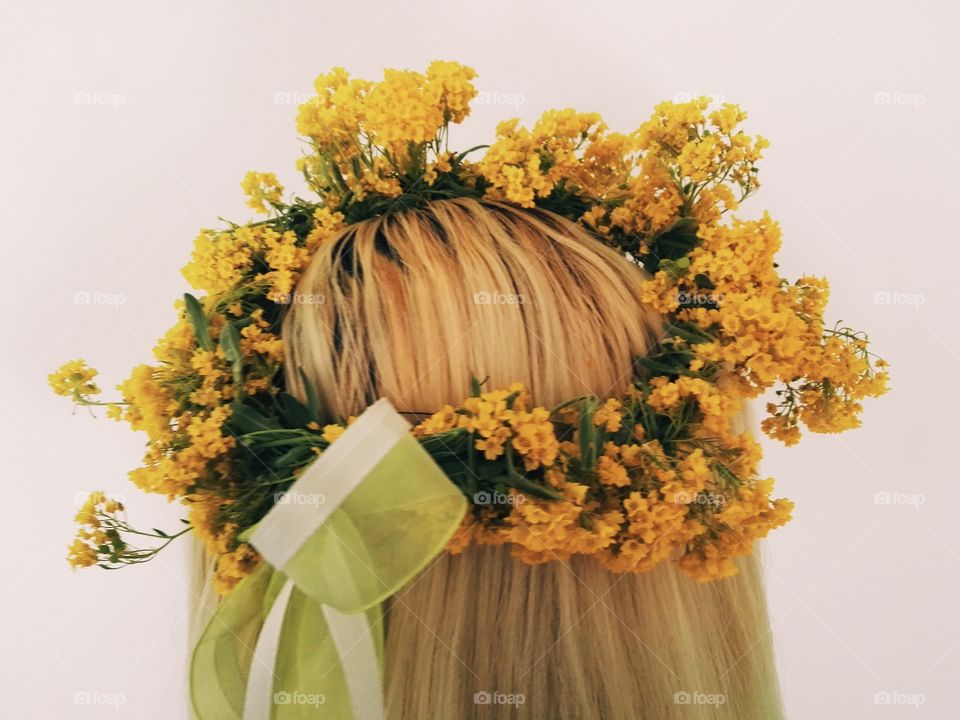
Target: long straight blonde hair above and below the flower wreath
{"x": 409, "y": 306}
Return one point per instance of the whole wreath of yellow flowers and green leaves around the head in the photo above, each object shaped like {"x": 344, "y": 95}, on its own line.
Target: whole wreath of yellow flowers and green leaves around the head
{"x": 658, "y": 474}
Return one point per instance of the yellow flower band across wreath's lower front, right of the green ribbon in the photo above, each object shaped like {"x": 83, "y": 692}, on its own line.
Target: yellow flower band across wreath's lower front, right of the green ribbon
{"x": 634, "y": 506}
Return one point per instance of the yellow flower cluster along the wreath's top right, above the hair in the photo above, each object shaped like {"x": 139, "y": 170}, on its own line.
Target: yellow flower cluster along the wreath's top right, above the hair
{"x": 683, "y": 161}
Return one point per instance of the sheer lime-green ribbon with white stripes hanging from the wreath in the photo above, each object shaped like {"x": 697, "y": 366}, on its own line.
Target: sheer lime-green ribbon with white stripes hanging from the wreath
{"x": 302, "y": 637}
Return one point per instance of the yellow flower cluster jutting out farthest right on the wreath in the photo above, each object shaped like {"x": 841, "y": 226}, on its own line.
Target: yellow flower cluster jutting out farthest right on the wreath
{"x": 770, "y": 333}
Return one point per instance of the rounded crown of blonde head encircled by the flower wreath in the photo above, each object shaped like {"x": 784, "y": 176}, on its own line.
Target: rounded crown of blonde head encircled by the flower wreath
{"x": 411, "y": 305}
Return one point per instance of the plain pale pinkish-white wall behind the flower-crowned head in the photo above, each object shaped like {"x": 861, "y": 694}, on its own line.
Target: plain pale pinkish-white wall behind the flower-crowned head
{"x": 126, "y": 127}
